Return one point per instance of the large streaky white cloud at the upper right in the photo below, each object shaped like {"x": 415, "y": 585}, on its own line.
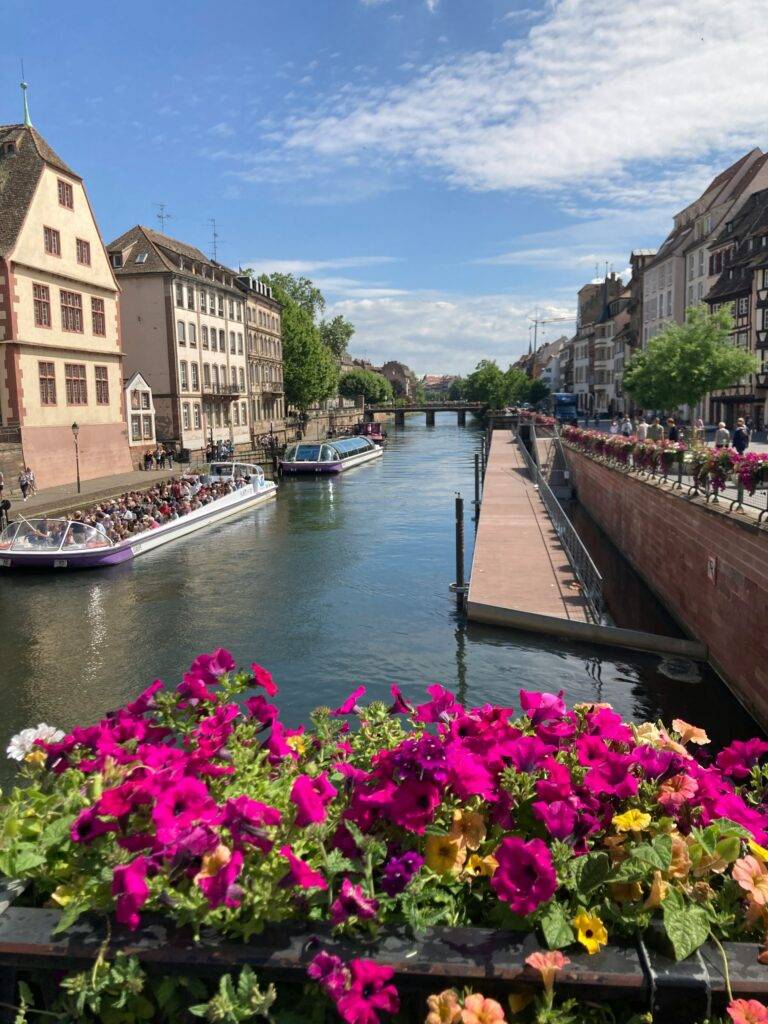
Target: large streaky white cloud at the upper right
{"x": 596, "y": 94}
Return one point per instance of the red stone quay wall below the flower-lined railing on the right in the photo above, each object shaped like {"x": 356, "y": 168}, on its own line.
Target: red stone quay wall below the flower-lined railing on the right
{"x": 708, "y": 568}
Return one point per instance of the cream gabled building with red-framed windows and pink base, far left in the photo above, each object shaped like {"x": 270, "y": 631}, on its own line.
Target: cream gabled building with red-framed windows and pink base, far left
{"x": 60, "y": 326}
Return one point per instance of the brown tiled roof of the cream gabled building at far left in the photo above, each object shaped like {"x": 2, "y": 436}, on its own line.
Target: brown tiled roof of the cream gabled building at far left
{"x": 20, "y": 174}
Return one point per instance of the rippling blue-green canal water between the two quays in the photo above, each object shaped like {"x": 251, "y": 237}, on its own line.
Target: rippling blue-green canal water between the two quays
{"x": 339, "y": 582}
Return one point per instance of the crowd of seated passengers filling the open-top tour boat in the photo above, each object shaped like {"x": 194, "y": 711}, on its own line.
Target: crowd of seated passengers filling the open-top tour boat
{"x": 139, "y": 511}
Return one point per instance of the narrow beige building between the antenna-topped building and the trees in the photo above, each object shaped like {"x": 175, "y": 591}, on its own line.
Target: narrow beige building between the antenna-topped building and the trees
{"x": 265, "y": 351}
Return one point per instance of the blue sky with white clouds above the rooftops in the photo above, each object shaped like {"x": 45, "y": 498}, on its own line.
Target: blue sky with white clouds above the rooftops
{"x": 442, "y": 169}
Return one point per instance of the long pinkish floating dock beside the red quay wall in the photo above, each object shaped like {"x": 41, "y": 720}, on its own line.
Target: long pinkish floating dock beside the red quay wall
{"x": 522, "y": 577}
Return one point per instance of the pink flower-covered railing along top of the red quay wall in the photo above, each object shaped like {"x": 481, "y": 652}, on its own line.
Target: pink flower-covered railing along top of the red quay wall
{"x": 711, "y": 471}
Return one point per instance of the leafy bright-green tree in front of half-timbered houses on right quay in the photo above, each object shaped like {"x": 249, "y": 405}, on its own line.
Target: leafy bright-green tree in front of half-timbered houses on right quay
{"x": 687, "y": 362}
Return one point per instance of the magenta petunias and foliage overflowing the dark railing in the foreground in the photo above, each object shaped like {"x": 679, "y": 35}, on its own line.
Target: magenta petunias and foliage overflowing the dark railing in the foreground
{"x": 390, "y": 851}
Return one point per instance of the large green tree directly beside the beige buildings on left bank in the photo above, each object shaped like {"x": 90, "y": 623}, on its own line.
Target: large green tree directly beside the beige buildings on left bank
{"x": 311, "y": 373}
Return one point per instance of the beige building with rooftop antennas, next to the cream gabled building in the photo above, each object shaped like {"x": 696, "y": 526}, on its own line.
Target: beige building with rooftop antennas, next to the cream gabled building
{"x": 184, "y": 324}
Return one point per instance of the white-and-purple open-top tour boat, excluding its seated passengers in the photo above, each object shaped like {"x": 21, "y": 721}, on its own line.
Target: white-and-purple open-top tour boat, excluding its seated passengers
{"x": 70, "y": 544}
